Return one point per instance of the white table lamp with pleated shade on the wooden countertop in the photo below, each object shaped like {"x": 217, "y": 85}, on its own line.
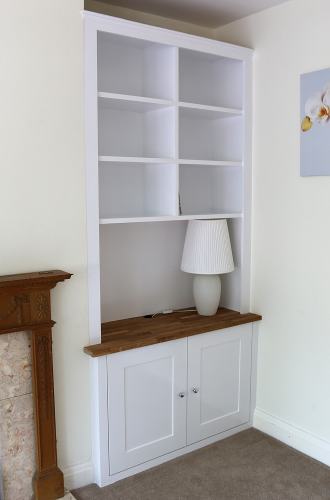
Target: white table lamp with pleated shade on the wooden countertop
{"x": 207, "y": 254}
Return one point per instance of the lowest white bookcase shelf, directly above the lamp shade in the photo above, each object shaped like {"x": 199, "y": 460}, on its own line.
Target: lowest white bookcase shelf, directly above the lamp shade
{"x": 169, "y": 218}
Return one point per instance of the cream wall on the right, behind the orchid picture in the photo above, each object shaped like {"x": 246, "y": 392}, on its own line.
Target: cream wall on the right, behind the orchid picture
{"x": 291, "y": 237}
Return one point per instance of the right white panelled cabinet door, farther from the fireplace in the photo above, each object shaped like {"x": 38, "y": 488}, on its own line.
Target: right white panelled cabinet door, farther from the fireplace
{"x": 219, "y": 368}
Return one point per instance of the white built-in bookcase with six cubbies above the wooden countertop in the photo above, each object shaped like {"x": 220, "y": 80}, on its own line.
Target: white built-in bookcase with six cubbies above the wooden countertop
{"x": 168, "y": 135}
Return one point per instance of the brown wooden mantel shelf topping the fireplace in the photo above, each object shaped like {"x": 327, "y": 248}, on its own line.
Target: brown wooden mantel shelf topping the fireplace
{"x": 33, "y": 279}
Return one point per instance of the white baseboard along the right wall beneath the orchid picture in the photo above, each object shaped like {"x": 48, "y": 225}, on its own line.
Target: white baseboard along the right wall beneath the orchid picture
{"x": 293, "y": 436}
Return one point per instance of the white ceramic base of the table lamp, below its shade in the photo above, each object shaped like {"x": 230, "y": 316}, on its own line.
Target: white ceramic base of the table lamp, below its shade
{"x": 207, "y": 293}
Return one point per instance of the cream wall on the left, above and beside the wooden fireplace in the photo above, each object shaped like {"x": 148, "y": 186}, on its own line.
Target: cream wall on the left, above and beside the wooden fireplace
{"x": 42, "y": 192}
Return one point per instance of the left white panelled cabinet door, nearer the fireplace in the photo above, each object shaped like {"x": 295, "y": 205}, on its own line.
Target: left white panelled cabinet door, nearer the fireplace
{"x": 147, "y": 403}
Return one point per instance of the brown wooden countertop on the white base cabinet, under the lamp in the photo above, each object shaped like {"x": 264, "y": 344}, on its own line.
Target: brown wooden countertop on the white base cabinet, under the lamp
{"x": 131, "y": 333}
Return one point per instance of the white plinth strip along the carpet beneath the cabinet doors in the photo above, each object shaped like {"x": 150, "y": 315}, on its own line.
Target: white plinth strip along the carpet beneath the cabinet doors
{"x": 170, "y": 456}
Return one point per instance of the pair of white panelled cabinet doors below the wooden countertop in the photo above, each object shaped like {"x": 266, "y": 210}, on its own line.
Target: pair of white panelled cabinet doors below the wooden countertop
{"x": 167, "y": 396}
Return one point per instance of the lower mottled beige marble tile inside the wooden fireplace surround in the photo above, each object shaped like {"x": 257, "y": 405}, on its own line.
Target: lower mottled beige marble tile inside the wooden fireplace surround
{"x": 17, "y": 447}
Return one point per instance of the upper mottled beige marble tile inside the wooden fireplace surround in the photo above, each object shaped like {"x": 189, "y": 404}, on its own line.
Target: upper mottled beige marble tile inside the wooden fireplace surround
{"x": 15, "y": 365}
